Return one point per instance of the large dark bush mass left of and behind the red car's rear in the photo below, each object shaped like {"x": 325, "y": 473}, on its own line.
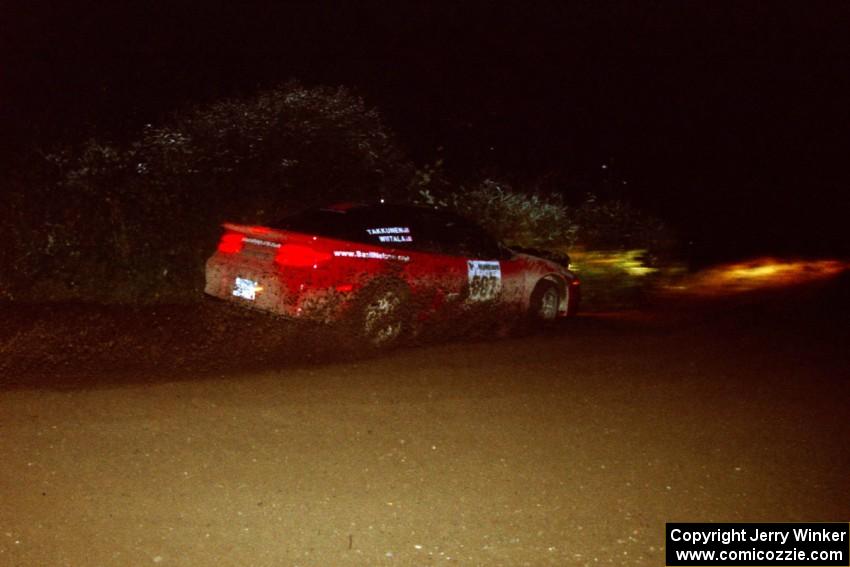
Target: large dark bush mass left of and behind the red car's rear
{"x": 129, "y": 221}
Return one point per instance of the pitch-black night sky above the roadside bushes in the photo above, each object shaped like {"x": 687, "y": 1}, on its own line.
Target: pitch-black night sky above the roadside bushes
{"x": 730, "y": 119}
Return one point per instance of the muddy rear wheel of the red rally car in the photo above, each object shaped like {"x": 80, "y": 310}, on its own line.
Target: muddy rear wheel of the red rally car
{"x": 381, "y": 315}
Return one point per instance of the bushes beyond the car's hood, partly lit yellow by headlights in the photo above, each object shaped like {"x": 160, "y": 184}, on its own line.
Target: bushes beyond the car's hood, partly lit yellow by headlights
{"x": 616, "y": 249}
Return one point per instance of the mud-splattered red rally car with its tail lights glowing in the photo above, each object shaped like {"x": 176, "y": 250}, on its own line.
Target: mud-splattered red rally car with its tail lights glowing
{"x": 384, "y": 271}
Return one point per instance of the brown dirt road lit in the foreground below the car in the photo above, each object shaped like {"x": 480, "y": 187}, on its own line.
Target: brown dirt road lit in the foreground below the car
{"x": 179, "y": 436}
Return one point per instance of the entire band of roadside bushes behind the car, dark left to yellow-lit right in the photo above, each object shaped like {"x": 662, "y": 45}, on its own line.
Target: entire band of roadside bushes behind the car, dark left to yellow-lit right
{"x": 135, "y": 220}
